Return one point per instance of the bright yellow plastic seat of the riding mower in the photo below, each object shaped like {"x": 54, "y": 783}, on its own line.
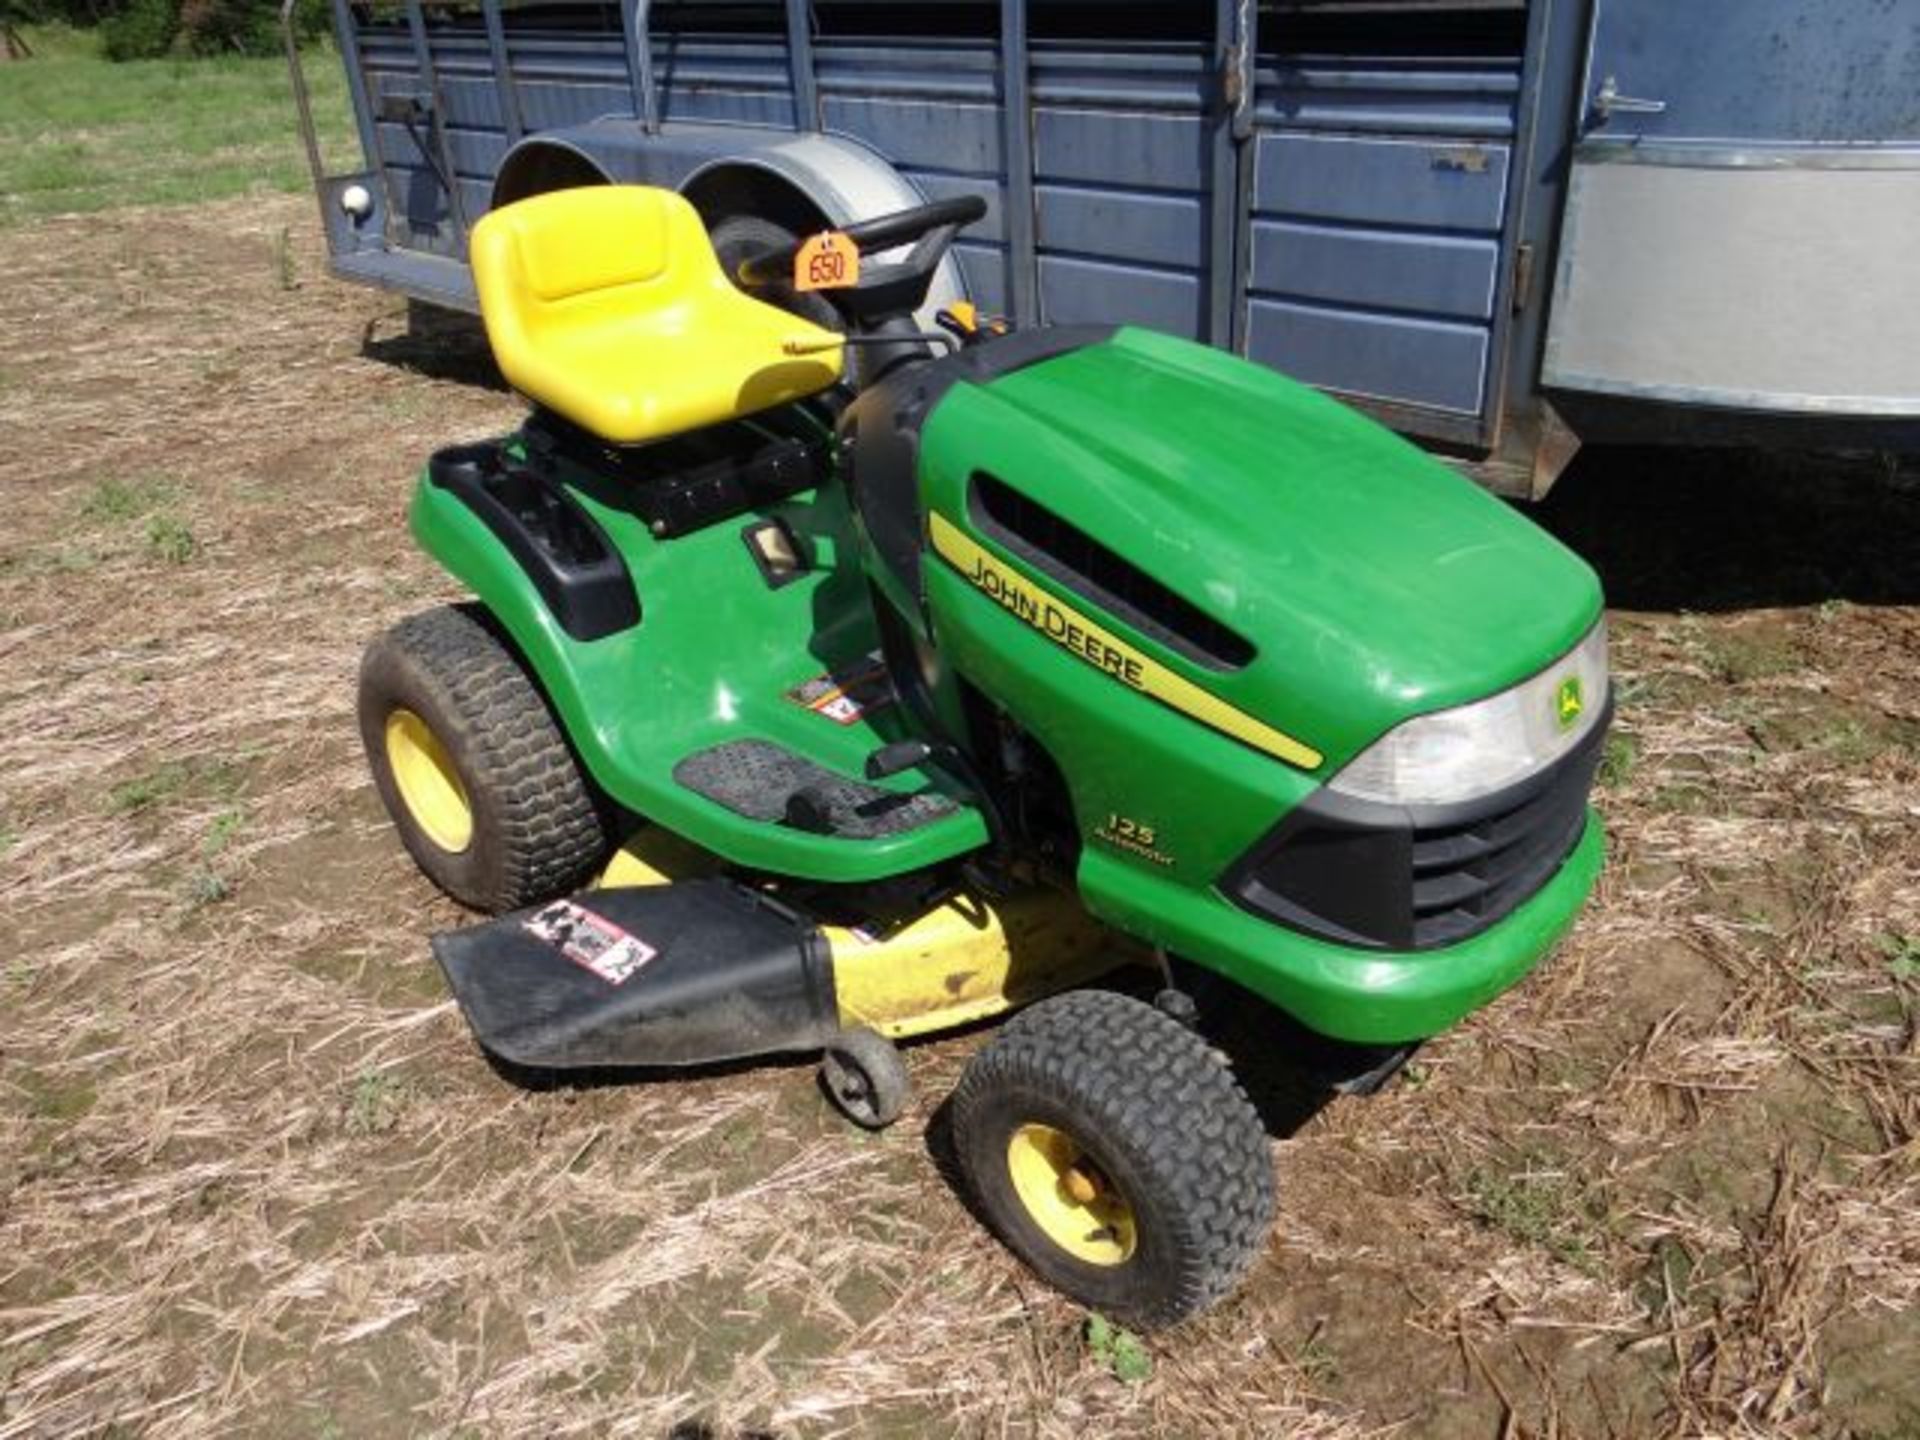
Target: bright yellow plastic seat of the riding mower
{"x": 608, "y": 306}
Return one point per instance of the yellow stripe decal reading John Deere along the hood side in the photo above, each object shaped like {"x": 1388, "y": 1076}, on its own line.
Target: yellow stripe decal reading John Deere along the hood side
{"x": 1107, "y": 652}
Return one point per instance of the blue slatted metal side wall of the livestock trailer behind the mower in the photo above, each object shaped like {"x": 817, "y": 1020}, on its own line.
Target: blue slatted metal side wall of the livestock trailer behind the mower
{"x": 1343, "y": 218}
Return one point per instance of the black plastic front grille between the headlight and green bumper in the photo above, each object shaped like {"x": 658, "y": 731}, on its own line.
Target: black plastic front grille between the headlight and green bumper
{"x": 1416, "y": 878}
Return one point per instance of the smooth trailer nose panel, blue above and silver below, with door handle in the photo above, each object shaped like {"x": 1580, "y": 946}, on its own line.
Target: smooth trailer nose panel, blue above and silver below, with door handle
{"x": 1744, "y": 210}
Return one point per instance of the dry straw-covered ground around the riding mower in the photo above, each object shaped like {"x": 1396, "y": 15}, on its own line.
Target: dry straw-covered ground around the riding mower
{"x": 254, "y": 1180}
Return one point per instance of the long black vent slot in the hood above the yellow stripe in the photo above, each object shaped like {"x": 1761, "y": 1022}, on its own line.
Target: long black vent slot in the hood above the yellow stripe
{"x": 1080, "y": 562}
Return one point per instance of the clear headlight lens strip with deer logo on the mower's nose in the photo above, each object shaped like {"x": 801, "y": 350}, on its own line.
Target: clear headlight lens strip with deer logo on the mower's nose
{"x": 1477, "y": 750}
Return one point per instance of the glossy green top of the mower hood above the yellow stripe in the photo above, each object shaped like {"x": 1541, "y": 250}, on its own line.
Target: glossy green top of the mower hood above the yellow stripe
{"x": 1372, "y": 581}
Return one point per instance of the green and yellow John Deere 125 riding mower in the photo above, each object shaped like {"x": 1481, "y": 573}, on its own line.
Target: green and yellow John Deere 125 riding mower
{"x": 804, "y": 717}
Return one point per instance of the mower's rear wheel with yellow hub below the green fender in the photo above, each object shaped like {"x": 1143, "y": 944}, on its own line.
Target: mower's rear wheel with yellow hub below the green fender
{"x": 471, "y": 765}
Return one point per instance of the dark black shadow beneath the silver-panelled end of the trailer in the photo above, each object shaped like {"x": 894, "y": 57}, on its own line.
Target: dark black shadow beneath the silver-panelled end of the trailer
{"x": 1721, "y": 531}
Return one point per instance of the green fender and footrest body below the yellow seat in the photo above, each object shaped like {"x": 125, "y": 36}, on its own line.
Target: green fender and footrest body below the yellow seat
{"x": 713, "y": 660}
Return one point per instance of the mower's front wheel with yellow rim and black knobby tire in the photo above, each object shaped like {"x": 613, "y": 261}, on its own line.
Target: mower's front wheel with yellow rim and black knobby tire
{"x": 1116, "y": 1155}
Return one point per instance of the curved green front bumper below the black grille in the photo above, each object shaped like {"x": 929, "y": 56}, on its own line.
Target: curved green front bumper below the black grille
{"x": 1370, "y": 997}
